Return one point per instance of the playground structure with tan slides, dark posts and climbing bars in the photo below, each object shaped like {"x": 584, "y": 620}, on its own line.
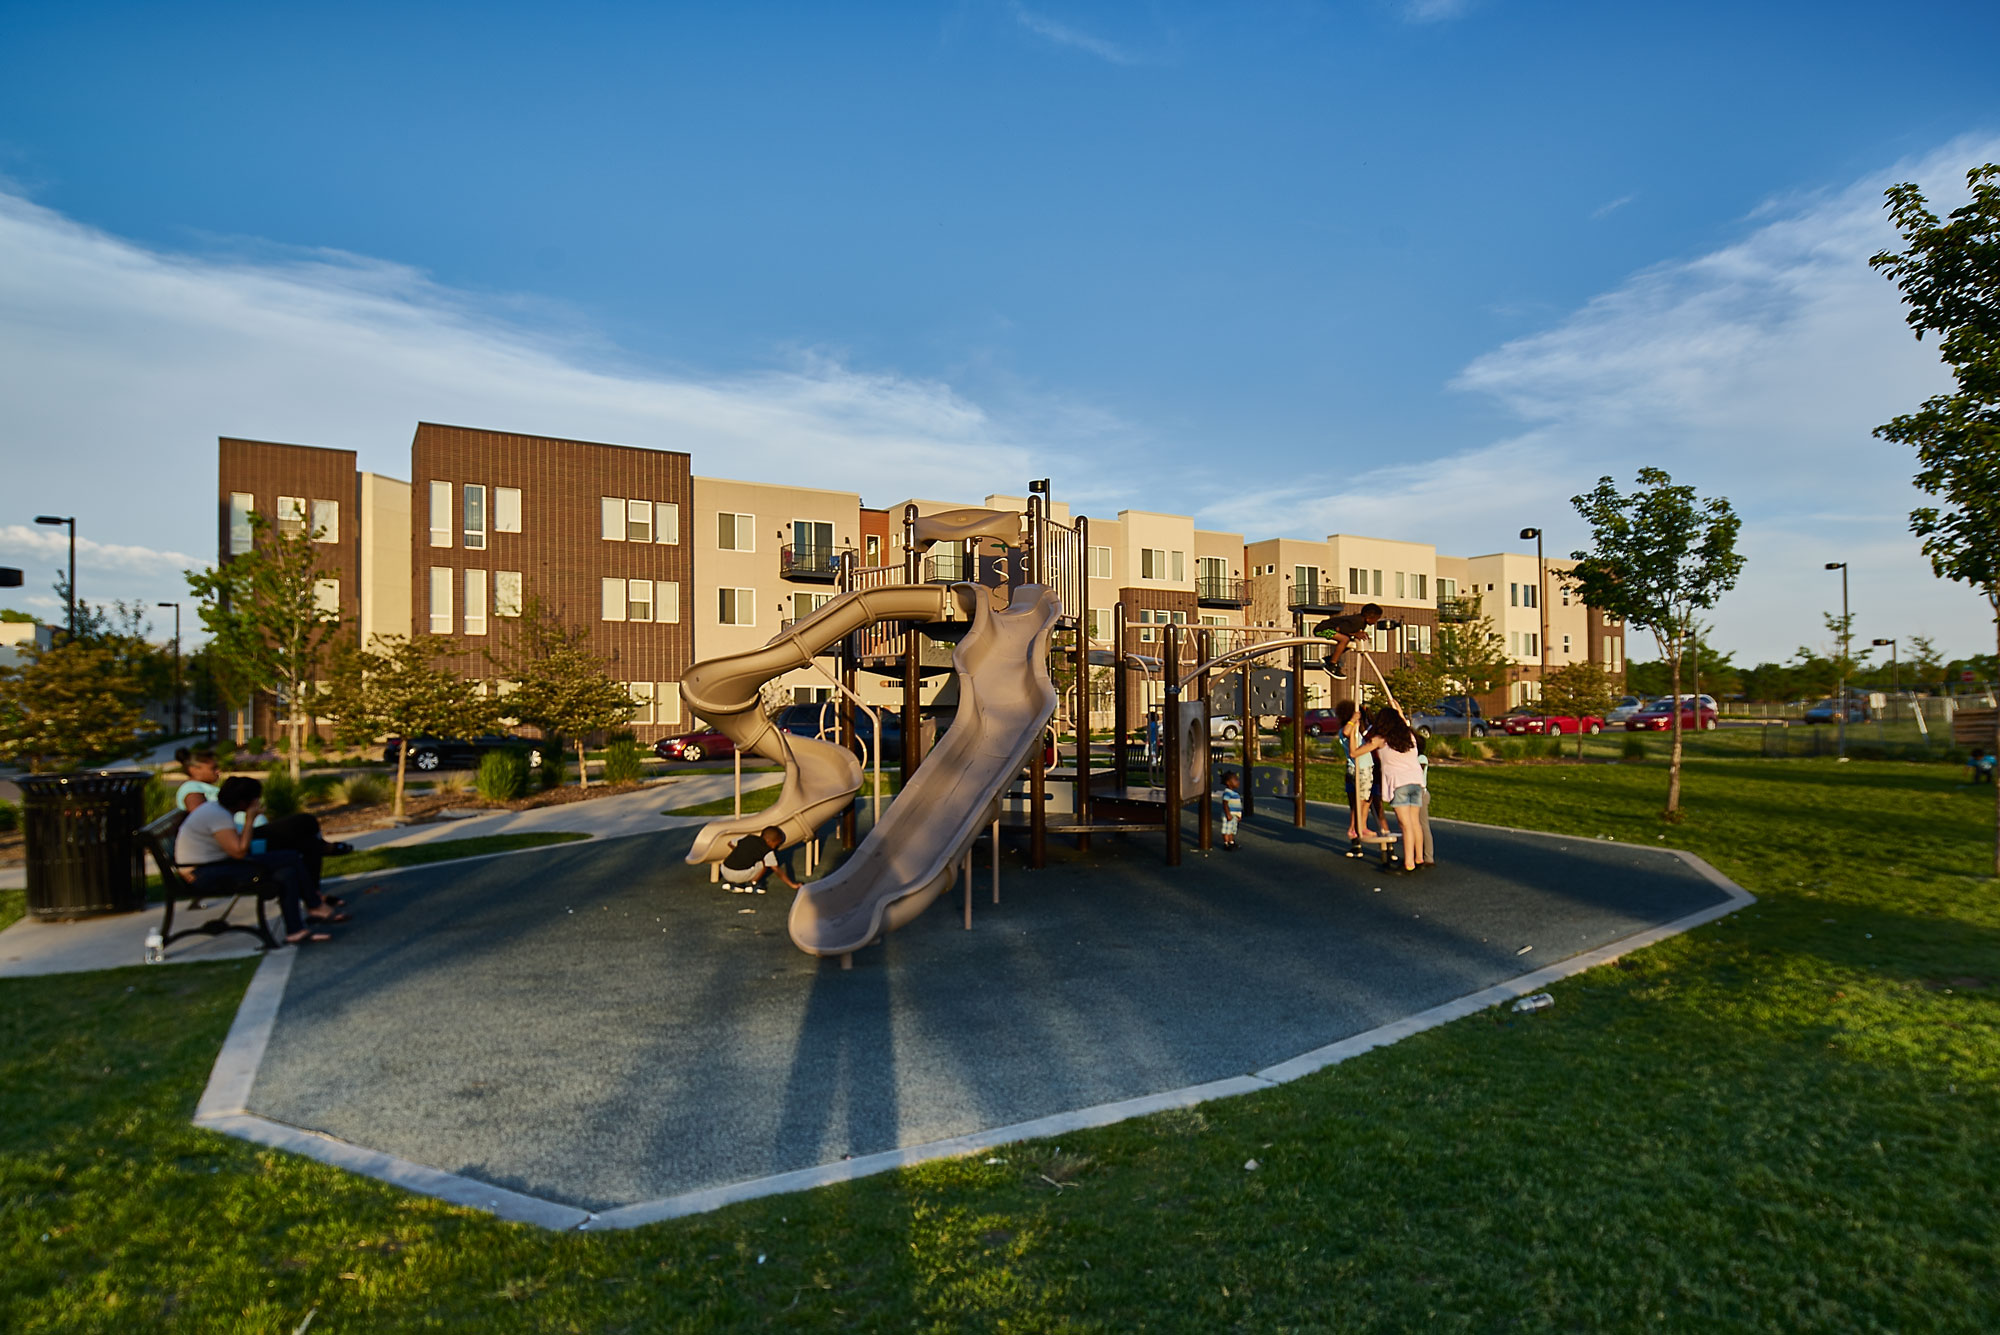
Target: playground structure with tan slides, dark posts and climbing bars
{"x": 1003, "y": 587}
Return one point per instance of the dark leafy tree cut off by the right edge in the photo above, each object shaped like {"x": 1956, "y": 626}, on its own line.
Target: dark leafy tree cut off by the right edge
{"x": 1951, "y": 281}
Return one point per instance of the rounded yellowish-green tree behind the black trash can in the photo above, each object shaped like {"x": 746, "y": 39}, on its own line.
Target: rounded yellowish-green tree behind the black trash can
{"x": 69, "y": 706}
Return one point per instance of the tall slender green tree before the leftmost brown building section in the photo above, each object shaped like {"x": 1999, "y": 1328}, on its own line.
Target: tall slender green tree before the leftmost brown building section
{"x": 269, "y": 627}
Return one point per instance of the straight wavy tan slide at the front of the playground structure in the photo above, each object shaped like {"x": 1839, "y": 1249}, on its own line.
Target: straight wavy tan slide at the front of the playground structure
{"x": 1005, "y": 702}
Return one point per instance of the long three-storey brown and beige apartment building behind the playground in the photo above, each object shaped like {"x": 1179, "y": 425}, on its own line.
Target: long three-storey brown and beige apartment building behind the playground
{"x": 667, "y": 569}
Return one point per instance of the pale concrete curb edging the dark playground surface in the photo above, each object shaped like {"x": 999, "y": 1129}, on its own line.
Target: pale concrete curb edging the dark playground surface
{"x": 243, "y": 1052}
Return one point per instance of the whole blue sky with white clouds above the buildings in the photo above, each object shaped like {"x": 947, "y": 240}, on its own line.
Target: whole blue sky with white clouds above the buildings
{"x": 1405, "y": 269}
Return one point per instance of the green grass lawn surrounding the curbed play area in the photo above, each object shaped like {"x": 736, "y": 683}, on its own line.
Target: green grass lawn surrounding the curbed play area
{"x": 1779, "y": 1122}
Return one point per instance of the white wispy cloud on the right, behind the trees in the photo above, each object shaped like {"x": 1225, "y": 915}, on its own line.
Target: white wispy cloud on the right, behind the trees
{"x": 1753, "y": 373}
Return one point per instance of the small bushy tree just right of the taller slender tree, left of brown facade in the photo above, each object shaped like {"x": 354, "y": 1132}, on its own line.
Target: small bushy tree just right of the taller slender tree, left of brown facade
{"x": 397, "y": 688}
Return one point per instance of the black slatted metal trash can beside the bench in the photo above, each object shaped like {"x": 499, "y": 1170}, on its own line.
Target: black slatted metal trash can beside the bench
{"x": 85, "y": 854}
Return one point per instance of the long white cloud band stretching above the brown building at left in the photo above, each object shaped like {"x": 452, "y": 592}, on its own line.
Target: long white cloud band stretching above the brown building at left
{"x": 119, "y": 369}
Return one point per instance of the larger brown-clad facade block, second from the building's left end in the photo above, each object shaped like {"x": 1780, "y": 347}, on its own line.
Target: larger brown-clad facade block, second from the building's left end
{"x": 561, "y": 553}
